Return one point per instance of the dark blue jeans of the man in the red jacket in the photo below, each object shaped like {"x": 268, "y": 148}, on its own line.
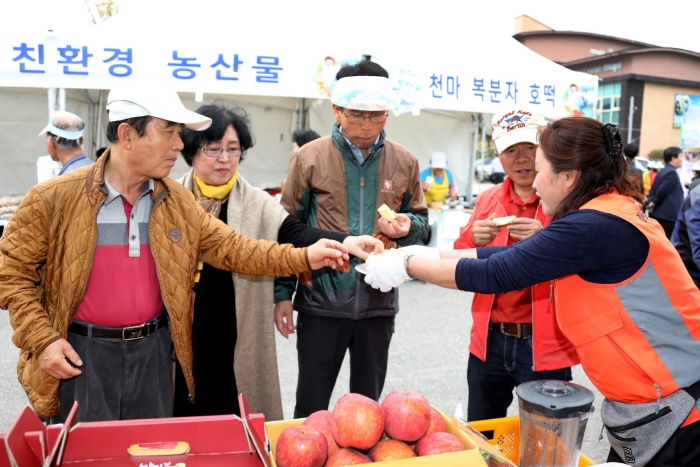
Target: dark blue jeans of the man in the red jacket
{"x": 508, "y": 364}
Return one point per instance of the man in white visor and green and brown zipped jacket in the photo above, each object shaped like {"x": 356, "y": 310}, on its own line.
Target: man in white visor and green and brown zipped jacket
{"x": 337, "y": 183}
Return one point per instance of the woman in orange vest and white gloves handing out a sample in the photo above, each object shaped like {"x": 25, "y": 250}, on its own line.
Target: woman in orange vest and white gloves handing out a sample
{"x": 624, "y": 298}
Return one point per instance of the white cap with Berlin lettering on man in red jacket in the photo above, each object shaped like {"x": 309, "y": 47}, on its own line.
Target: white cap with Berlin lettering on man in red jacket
{"x": 515, "y": 126}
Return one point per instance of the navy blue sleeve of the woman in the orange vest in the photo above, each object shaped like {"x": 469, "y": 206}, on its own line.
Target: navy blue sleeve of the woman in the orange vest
{"x": 599, "y": 247}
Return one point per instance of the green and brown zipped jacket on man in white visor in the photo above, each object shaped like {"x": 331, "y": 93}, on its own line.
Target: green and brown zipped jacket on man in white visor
{"x": 328, "y": 188}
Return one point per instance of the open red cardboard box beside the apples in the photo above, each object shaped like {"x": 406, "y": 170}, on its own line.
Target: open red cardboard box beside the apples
{"x": 169, "y": 442}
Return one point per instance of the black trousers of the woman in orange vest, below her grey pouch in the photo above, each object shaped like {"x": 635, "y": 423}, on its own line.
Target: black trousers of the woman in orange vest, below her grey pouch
{"x": 682, "y": 449}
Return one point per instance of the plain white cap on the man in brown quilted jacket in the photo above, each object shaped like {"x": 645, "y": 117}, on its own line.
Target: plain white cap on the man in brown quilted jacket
{"x": 125, "y": 103}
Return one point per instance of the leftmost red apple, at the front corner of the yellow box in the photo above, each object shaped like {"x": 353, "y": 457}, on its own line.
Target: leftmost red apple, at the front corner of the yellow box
{"x": 301, "y": 446}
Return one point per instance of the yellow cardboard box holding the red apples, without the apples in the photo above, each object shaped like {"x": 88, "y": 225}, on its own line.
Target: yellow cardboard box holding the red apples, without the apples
{"x": 470, "y": 457}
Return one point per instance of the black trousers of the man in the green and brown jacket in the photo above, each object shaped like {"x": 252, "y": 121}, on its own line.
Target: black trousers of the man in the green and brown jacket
{"x": 321, "y": 346}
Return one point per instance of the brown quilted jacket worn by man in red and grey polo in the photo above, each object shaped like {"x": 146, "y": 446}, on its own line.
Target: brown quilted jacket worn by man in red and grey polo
{"x": 47, "y": 249}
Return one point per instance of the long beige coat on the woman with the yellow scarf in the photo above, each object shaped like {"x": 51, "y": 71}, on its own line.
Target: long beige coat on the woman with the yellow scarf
{"x": 256, "y": 214}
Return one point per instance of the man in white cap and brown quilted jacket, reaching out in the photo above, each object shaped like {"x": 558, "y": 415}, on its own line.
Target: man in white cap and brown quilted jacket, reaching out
{"x": 97, "y": 268}
